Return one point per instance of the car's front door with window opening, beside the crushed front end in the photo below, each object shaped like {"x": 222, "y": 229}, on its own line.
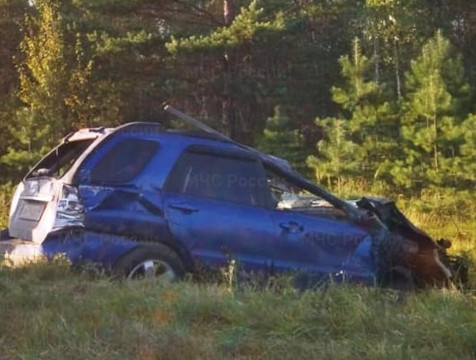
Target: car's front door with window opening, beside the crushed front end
{"x": 312, "y": 236}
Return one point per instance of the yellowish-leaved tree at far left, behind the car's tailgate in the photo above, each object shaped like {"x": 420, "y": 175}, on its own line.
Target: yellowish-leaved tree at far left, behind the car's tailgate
{"x": 53, "y": 85}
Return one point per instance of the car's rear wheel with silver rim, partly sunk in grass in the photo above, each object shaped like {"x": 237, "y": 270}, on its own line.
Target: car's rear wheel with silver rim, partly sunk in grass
{"x": 150, "y": 261}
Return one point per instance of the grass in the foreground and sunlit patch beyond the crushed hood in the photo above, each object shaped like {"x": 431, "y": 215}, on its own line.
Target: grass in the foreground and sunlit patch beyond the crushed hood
{"x": 49, "y": 312}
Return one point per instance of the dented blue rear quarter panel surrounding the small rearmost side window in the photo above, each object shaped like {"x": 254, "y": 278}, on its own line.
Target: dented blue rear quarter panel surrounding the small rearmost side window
{"x": 134, "y": 209}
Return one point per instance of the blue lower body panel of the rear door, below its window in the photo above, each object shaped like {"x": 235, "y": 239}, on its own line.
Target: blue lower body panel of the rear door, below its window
{"x": 215, "y": 231}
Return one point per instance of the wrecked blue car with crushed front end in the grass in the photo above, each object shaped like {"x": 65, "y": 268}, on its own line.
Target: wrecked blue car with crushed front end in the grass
{"x": 141, "y": 200}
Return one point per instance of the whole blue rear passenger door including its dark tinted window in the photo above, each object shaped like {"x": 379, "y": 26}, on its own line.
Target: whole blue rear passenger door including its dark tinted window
{"x": 214, "y": 205}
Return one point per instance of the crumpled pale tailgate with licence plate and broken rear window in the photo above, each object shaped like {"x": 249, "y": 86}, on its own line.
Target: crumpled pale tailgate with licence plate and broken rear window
{"x": 33, "y": 212}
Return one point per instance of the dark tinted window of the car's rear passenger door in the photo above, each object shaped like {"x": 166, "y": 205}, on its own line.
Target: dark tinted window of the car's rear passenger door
{"x": 235, "y": 179}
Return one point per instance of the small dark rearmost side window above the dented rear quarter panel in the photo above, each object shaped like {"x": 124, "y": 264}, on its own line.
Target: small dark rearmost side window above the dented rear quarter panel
{"x": 124, "y": 161}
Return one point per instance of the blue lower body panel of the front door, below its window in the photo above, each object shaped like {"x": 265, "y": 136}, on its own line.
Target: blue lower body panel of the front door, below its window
{"x": 320, "y": 245}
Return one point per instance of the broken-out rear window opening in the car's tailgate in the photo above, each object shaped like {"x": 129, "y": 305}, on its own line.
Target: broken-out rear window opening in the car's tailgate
{"x": 60, "y": 160}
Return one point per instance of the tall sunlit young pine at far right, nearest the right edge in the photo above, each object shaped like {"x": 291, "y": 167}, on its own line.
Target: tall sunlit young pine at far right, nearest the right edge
{"x": 435, "y": 108}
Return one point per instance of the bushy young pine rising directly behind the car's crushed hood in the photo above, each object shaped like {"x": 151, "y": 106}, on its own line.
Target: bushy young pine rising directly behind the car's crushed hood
{"x": 362, "y": 142}
